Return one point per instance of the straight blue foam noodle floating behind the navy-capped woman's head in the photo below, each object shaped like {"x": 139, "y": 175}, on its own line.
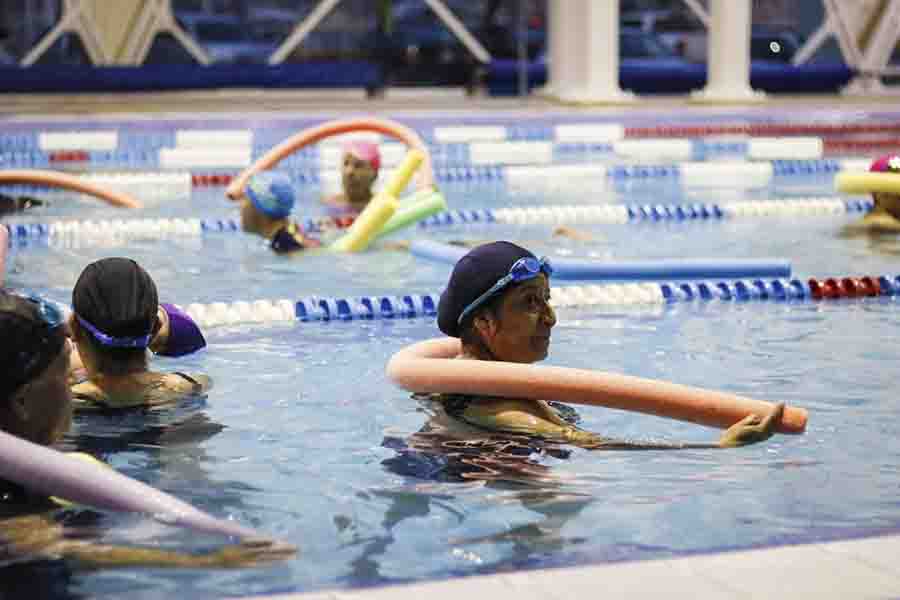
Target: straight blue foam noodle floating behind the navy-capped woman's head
{"x": 643, "y": 270}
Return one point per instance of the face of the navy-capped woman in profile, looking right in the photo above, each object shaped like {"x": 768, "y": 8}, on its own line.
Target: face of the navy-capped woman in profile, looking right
{"x": 519, "y": 330}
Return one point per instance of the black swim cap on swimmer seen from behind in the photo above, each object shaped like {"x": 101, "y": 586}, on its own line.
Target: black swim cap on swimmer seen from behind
{"x": 117, "y": 297}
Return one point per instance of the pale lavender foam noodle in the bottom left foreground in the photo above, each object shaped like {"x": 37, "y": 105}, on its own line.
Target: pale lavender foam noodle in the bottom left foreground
{"x": 53, "y": 473}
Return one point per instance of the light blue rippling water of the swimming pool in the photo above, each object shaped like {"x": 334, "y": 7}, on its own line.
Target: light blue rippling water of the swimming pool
{"x": 303, "y": 437}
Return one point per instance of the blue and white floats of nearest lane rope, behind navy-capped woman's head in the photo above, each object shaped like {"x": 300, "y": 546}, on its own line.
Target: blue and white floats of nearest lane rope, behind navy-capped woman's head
{"x": 320, "y": 308}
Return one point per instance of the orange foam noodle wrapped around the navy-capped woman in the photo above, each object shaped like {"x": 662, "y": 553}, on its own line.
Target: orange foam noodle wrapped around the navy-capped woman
{"x": 430, "y": 366}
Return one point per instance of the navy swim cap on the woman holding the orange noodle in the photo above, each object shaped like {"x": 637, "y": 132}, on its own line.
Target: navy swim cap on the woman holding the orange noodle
{"x": 473, "y": 275}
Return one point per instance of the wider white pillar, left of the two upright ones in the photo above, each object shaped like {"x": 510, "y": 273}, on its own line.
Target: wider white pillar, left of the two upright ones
{"x": 584, "y": 52}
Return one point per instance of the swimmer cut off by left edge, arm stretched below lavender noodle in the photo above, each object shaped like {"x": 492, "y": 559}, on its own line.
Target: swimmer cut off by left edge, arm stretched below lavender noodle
{"x": 36, "y": 405}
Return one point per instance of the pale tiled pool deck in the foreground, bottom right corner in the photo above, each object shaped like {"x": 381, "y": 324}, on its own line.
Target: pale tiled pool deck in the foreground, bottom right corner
{"x": 860, "y": 568}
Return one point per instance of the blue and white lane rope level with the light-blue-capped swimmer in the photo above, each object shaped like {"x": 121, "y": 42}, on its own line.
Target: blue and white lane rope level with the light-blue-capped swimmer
{"x": 557, "y": 215}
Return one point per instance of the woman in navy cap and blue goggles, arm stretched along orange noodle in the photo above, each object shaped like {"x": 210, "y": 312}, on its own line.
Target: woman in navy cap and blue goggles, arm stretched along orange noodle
{"x": 498, "y": 303}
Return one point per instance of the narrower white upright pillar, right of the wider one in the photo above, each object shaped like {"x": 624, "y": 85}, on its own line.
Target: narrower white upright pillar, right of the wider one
{"x": 728, "y": 54}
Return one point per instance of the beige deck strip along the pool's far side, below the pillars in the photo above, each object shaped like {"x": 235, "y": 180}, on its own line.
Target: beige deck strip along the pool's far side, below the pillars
{"x": 241, "y": 102}
